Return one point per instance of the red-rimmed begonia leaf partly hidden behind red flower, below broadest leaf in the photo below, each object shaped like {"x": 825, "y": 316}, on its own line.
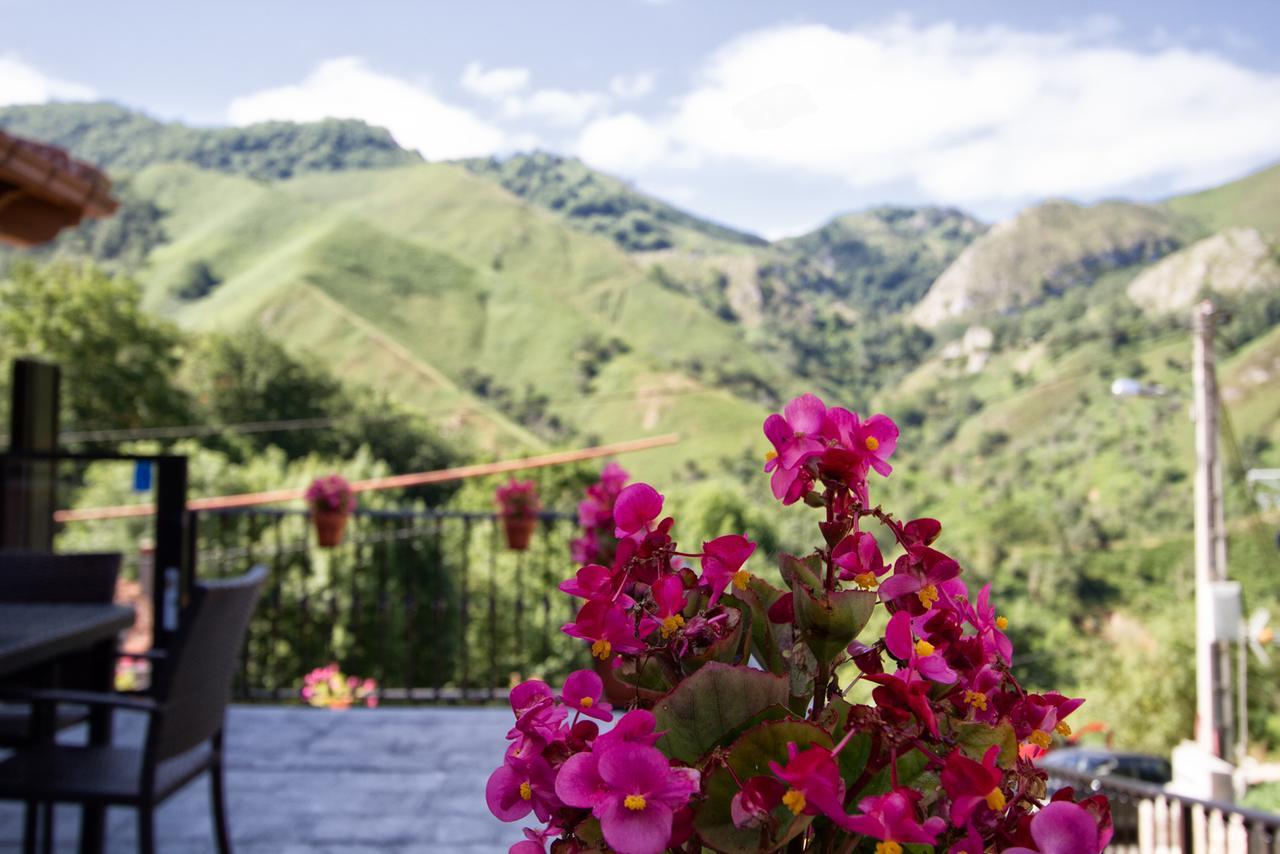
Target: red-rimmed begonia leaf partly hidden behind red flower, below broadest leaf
{"x": 749, "y": 757}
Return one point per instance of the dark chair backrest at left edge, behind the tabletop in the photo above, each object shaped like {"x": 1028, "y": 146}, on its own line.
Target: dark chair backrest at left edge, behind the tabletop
{"x": 74, "y": 578}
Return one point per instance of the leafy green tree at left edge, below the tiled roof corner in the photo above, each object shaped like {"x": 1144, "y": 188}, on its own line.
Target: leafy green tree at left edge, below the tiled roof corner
{"x": 118, "y": 363}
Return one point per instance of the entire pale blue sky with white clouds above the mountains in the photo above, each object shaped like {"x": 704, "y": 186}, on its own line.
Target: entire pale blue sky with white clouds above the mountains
{"x": 766, "y": 116}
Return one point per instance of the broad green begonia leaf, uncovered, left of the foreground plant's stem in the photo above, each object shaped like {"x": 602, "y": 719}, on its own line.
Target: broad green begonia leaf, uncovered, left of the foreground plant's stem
{"x": 705, "y": 710}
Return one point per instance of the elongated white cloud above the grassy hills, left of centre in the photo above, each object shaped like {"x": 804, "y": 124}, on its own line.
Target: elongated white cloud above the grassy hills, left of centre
{"x": 348, "y": 89}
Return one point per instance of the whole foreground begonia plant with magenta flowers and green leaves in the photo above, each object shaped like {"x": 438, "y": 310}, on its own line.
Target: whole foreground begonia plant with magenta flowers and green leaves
{"x": 758, "y": 718}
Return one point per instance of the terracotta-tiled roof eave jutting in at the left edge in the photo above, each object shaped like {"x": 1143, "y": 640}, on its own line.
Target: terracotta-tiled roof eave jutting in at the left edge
{"x": 43, "y": 191}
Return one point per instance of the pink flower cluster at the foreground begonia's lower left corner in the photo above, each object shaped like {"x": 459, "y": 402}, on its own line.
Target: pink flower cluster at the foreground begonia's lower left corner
{"x": 569, "y": 774}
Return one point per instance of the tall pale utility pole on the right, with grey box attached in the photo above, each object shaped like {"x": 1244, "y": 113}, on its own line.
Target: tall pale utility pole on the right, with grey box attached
{"x": 1213, "y": 654}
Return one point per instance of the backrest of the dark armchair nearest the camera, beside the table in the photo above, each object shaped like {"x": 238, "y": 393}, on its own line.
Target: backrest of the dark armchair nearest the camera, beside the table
{"x": 194, "y": 683}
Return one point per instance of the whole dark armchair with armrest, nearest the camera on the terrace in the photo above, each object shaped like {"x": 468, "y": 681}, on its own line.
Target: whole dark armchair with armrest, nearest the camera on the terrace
{"x": 186, "y": 713}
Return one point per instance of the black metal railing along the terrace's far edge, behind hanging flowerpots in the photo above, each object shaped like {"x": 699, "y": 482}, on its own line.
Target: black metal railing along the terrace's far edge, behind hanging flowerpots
{"x": 431, "y": 604}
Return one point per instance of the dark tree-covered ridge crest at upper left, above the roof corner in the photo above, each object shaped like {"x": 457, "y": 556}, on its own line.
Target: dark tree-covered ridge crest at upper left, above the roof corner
{"x": 124, "y": 141}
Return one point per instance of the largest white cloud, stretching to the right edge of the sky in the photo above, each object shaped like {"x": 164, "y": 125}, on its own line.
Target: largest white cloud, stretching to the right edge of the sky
{"x": 963, "y": 116}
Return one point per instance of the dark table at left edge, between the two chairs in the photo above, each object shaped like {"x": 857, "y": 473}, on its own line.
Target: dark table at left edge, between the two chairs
{"x": 35, "y": 634}
